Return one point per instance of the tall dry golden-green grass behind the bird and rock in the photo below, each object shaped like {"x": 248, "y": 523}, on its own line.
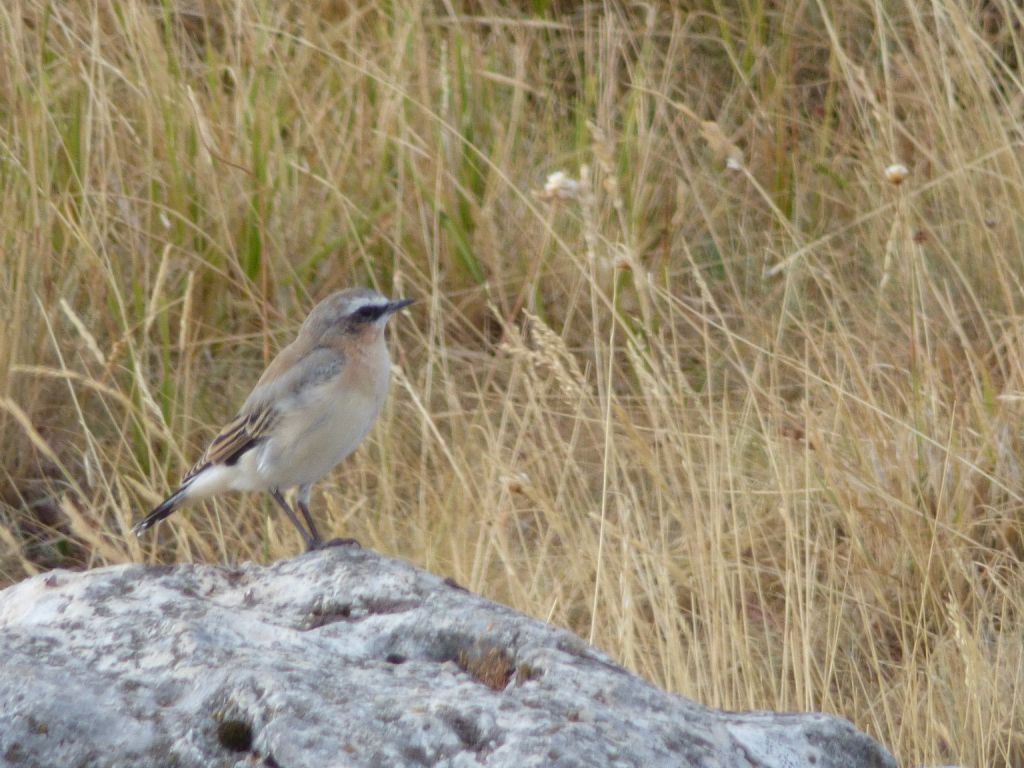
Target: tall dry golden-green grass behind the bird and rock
{"x": 729, "y": 401}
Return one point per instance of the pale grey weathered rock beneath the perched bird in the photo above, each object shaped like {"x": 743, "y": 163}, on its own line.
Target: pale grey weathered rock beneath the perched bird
{"x": 345, "y": 658}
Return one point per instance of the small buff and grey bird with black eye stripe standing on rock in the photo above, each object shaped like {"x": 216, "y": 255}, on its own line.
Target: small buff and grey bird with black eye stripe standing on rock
{"x": 310, "y": 410}
